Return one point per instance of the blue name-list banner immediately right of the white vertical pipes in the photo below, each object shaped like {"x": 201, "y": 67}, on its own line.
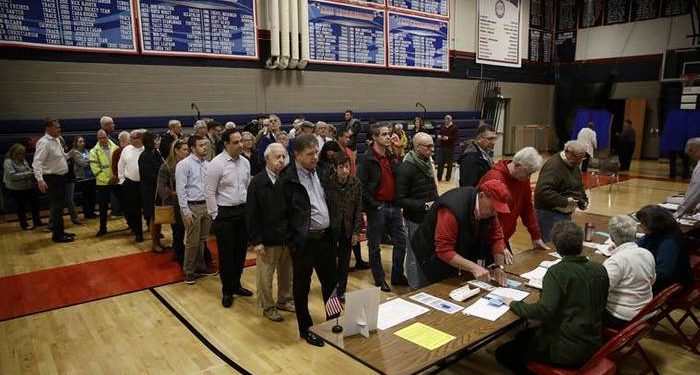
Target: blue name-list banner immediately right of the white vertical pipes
{"x": 346, "y": 34}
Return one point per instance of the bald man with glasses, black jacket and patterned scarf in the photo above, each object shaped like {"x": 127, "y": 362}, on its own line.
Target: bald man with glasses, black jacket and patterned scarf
{"x": 416, "y": 192}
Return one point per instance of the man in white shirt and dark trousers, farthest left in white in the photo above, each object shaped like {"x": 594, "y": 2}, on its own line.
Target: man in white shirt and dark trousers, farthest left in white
{"x": 51, "y": 172}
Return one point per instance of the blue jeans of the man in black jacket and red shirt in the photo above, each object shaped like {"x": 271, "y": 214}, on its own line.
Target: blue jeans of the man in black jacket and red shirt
{"x": 388, "y": 219}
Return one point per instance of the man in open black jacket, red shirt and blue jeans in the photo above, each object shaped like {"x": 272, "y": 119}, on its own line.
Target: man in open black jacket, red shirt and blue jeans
{"x": 376, "y": 172}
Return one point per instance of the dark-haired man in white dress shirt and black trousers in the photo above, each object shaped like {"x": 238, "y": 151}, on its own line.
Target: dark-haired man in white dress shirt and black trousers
{"x": 226, "y": 191}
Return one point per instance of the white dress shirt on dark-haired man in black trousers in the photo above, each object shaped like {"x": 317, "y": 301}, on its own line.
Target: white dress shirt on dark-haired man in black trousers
{"x": 226, "y": 183}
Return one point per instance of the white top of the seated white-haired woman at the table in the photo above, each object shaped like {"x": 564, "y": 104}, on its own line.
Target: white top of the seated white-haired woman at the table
{"x": 632, "y": 272}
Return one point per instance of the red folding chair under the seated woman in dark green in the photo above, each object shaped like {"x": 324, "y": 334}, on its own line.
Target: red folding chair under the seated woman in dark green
{"x": 603, "y": 361}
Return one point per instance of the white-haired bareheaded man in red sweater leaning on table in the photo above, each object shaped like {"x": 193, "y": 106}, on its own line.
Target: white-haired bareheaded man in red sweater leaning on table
{"x": 515, "y": 175}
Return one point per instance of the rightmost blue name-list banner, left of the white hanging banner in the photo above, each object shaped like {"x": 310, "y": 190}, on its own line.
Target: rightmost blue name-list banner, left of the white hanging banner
{"x": 418, "y": 43}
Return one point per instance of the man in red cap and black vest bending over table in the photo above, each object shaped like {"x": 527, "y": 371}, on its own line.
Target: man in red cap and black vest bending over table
{"x": 461, "y": 232}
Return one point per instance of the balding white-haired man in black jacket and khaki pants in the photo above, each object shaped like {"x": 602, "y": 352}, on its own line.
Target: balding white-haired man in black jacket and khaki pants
{"x": 267, "y": 222}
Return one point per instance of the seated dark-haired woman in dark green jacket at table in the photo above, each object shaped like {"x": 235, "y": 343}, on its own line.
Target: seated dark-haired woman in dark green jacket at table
{"x": 572, "y": 301}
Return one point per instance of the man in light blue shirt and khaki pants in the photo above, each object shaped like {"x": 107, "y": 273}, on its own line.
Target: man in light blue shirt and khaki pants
{"x": 190, "y": 174}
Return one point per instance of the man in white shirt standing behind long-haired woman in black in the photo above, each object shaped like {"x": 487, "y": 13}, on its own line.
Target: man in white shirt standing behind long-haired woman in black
{"x": 130, "y": 180}
